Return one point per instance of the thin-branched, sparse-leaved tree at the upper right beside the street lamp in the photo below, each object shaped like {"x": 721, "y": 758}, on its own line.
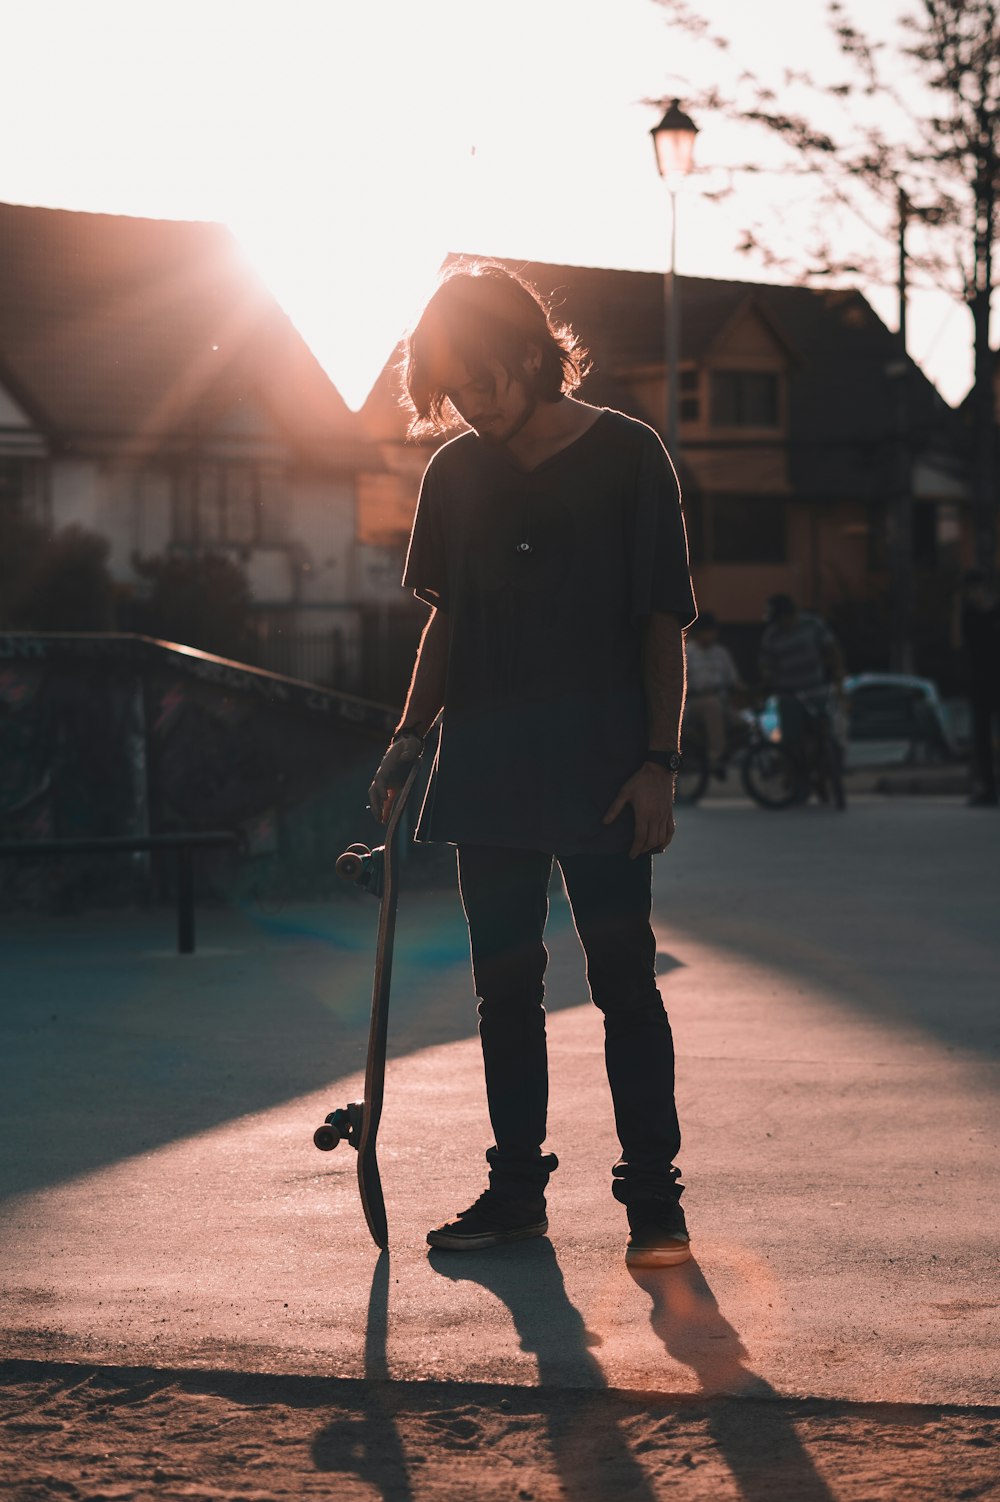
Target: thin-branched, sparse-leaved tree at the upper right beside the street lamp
{"x": 911, "y": 142}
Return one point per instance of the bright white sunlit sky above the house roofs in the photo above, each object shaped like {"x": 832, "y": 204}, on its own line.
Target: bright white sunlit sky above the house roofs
{"x": 352, "y": 143}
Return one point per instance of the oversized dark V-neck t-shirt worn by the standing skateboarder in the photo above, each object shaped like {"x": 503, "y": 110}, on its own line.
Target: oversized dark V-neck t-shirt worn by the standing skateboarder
{"x": 546, "y": 579}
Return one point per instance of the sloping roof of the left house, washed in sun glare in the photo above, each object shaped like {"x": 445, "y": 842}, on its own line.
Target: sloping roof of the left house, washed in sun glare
{"x": 119, "y": 331}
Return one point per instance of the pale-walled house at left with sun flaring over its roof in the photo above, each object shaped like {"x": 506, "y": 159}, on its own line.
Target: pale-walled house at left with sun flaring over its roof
{"x": 152, "y": 390}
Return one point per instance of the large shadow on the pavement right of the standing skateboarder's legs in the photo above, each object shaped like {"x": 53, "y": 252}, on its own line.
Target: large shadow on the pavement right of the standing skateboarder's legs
{"x": 887, "y": 909}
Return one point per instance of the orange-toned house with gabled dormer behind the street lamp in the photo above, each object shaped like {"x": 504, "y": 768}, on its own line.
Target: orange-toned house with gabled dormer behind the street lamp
{"x": 798, "y": 427}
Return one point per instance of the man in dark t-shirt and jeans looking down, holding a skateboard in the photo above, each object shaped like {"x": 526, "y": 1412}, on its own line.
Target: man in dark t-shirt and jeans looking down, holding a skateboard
{"x": 550, "y": 544}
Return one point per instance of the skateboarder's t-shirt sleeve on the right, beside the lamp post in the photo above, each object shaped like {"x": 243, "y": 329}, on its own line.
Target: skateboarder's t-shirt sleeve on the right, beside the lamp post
{"x": 661, "y": 578}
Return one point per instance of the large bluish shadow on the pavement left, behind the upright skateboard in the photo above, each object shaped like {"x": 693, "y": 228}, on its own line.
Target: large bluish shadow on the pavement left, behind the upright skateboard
{"x": 112, "y": 1045}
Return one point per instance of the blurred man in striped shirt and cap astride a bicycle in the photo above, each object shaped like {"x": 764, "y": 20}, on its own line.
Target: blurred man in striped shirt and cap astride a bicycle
{"x": 798, "y": 656}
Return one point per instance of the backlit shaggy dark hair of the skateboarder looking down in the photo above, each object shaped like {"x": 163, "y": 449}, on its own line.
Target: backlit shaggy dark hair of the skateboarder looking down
{"x": 486, "y": 316}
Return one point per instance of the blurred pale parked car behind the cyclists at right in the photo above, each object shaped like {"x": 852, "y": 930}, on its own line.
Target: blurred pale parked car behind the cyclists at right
{"x": 893, "y": 720}
